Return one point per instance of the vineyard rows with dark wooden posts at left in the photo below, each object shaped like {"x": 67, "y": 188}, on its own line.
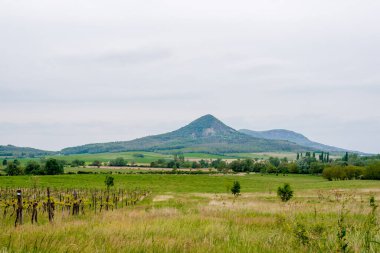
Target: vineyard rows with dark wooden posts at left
{"x": 19, "y": 206}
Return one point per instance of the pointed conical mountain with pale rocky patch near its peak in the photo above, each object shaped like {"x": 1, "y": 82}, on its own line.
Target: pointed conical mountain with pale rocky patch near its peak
{"x": 206, "y": 134}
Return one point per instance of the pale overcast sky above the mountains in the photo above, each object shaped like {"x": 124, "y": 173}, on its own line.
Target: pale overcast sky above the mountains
{"x": 87, "y": 71}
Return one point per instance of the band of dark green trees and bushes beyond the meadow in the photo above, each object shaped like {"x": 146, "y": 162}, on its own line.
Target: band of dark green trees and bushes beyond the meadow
{"x": 349, "y": 166}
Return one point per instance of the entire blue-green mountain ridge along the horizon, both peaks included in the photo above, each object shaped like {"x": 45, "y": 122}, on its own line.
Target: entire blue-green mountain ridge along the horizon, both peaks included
{"x": 206, "y": 134}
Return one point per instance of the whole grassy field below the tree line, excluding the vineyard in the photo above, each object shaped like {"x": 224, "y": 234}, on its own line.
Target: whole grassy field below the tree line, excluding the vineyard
{"x": 194, "y": 213}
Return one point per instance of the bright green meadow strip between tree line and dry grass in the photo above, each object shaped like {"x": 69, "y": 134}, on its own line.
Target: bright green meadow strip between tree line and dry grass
{"x": 212, "y": 183}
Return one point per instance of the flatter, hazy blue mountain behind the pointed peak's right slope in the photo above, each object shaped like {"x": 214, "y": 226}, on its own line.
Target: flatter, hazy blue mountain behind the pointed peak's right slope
{"x": 286, "y": 135}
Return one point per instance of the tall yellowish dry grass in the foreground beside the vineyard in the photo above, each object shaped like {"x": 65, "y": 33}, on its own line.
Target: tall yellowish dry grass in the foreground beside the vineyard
{"x": 254, "y": 222}
